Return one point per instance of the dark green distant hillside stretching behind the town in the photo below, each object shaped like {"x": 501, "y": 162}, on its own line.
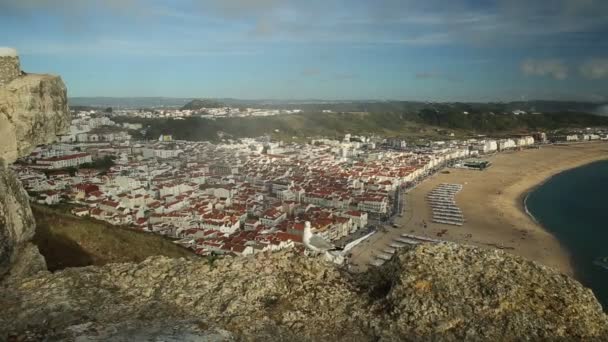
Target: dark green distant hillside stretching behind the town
{"x": 423, "y": 123}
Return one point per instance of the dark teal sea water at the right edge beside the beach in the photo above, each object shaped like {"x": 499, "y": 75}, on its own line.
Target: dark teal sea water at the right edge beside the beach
{"x": 573, "y": 206}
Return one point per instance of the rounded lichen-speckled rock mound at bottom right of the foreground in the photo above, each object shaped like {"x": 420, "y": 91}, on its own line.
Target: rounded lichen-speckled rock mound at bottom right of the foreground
{"x": 459, "y": 293}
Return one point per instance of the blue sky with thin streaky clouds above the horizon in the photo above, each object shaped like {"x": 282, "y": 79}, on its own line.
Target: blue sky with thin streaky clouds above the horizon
{"x": 431, "y": 50}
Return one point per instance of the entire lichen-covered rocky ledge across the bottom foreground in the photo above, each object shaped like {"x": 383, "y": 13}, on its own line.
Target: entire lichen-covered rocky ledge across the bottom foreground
{"x": 433, "y": 292}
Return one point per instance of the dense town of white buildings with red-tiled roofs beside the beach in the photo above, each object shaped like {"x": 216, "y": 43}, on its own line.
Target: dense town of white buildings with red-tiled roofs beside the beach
{"x": 246, "y": 196}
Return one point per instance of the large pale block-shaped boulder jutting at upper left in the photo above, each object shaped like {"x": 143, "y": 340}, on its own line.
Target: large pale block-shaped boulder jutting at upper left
{"x": 33, "y": 110}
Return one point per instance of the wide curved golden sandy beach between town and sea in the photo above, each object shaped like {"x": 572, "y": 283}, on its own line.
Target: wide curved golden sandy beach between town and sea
{"x": 492, "y": 204}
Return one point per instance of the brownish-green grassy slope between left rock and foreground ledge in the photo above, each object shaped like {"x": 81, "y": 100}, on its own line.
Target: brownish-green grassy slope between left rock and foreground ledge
{"x": 68, "y": 241}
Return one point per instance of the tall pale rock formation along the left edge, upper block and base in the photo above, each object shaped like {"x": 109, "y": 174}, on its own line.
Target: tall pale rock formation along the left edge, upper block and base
{"x": 33, "y": 110}
